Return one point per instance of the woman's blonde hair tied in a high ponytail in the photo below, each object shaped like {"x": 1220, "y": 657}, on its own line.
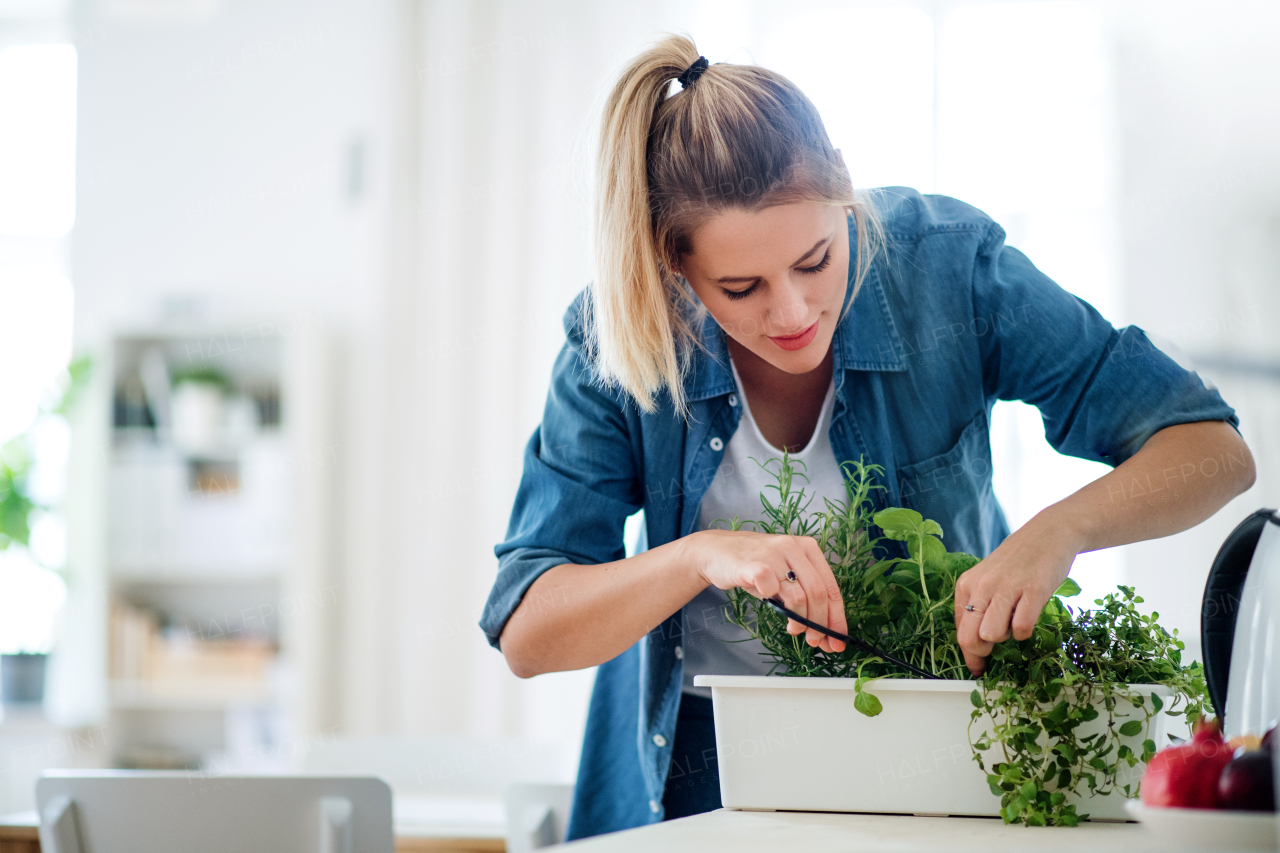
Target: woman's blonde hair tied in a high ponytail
{"x": 738, "y": 138}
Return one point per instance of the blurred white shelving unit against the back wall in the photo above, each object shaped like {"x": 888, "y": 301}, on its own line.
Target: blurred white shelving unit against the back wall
{"x": 217, "y": 540}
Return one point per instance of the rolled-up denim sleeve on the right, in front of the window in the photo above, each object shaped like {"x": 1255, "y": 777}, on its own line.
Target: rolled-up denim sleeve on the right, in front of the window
{"x": 1101, "y": 391}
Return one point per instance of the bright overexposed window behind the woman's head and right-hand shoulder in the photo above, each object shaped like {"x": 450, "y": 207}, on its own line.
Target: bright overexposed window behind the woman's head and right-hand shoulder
{"x": 1007, "y": 107}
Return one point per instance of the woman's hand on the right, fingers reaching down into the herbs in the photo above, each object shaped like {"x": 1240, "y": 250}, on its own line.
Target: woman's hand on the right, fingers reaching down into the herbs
{"x": 1011, "y": 589}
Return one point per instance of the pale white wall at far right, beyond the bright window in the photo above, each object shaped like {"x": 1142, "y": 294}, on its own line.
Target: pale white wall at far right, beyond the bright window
{"x": 1199, "y": 89}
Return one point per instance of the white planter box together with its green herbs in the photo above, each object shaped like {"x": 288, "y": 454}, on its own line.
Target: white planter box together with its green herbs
{"x": 1058, "y": 729}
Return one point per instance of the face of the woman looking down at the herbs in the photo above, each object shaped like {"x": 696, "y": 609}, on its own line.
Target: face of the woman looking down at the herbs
{"x": 775, "y": 280}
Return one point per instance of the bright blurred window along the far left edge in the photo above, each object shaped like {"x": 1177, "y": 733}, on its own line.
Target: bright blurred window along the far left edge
{"x": 38, "y": 209}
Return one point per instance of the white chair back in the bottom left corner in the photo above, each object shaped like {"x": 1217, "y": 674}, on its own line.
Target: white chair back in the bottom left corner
{"x": 117, "y": 811}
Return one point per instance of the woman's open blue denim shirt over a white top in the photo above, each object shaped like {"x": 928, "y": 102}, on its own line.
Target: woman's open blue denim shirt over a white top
{"x": 948, "y": 322}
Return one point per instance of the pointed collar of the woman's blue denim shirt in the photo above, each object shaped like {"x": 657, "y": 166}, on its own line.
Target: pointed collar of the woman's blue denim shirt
{"x": 867, "y": 339}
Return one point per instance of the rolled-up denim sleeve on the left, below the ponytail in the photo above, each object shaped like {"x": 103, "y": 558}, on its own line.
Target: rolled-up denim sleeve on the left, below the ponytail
{"x": 579, "y": 486}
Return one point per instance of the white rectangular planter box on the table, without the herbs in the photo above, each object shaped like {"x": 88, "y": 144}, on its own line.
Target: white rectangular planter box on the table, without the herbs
{"x": 798, "y": 745}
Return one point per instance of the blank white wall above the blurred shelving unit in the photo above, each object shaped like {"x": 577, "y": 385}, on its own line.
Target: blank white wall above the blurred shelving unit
{"x": 214, "y": 161}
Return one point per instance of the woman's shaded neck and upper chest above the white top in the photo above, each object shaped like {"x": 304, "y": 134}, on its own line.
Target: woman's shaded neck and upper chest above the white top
{"x": 787, "y": 407}
